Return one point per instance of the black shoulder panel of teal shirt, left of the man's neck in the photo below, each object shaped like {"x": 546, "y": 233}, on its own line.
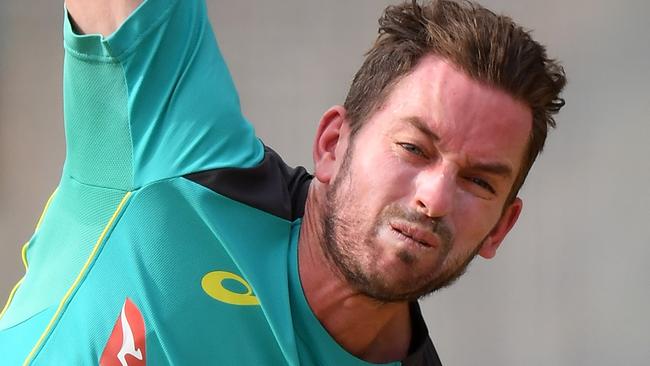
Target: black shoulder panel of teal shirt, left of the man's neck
{"x": 271, "y": 186}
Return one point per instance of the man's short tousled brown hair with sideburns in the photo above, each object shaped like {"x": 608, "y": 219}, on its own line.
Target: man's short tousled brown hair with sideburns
{"x": 490, "y": 48}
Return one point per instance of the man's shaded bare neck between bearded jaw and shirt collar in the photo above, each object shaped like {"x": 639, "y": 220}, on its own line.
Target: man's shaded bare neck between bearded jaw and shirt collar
{"x": 365, "y": 327}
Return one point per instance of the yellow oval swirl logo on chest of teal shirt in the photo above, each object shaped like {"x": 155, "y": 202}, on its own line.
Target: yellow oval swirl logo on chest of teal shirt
{"x": 212, "y": 284}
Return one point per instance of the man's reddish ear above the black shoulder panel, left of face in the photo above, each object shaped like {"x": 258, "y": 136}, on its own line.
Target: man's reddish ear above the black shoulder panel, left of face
{"x": 330, "y": 143}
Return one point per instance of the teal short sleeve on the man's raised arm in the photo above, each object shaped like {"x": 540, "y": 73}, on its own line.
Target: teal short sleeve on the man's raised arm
{"x": 153, "y": 100}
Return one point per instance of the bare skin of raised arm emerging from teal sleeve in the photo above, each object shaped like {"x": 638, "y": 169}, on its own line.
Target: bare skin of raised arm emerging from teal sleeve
{"x": 99, "y": 16}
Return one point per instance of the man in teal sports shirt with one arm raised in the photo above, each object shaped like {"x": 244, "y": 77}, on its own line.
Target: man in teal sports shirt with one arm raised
{"x": 176, "y": 237}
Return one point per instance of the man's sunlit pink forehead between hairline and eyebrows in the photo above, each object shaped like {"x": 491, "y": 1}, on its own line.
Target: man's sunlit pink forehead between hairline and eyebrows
{"x": 471, "y": 119}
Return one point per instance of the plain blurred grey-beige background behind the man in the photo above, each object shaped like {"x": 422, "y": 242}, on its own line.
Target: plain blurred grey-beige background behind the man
{"x": 571, "y": 284}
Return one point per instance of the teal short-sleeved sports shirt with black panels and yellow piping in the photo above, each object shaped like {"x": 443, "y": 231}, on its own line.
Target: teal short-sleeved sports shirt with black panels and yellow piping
{"x": 172, "y": 236}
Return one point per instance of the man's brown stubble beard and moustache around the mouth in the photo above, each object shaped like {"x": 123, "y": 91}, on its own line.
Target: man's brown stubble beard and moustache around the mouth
{"x": 354, "y": 261}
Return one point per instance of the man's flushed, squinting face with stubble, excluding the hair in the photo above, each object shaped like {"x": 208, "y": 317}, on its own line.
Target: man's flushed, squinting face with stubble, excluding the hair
{"x": 422, "y": 187}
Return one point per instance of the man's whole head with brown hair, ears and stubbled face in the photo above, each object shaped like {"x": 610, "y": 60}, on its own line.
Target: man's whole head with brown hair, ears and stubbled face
{"x": 421, "y": 166}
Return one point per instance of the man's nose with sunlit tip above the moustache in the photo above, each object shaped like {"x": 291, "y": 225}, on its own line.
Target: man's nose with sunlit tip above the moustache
{"x": 435, "y": 188}
